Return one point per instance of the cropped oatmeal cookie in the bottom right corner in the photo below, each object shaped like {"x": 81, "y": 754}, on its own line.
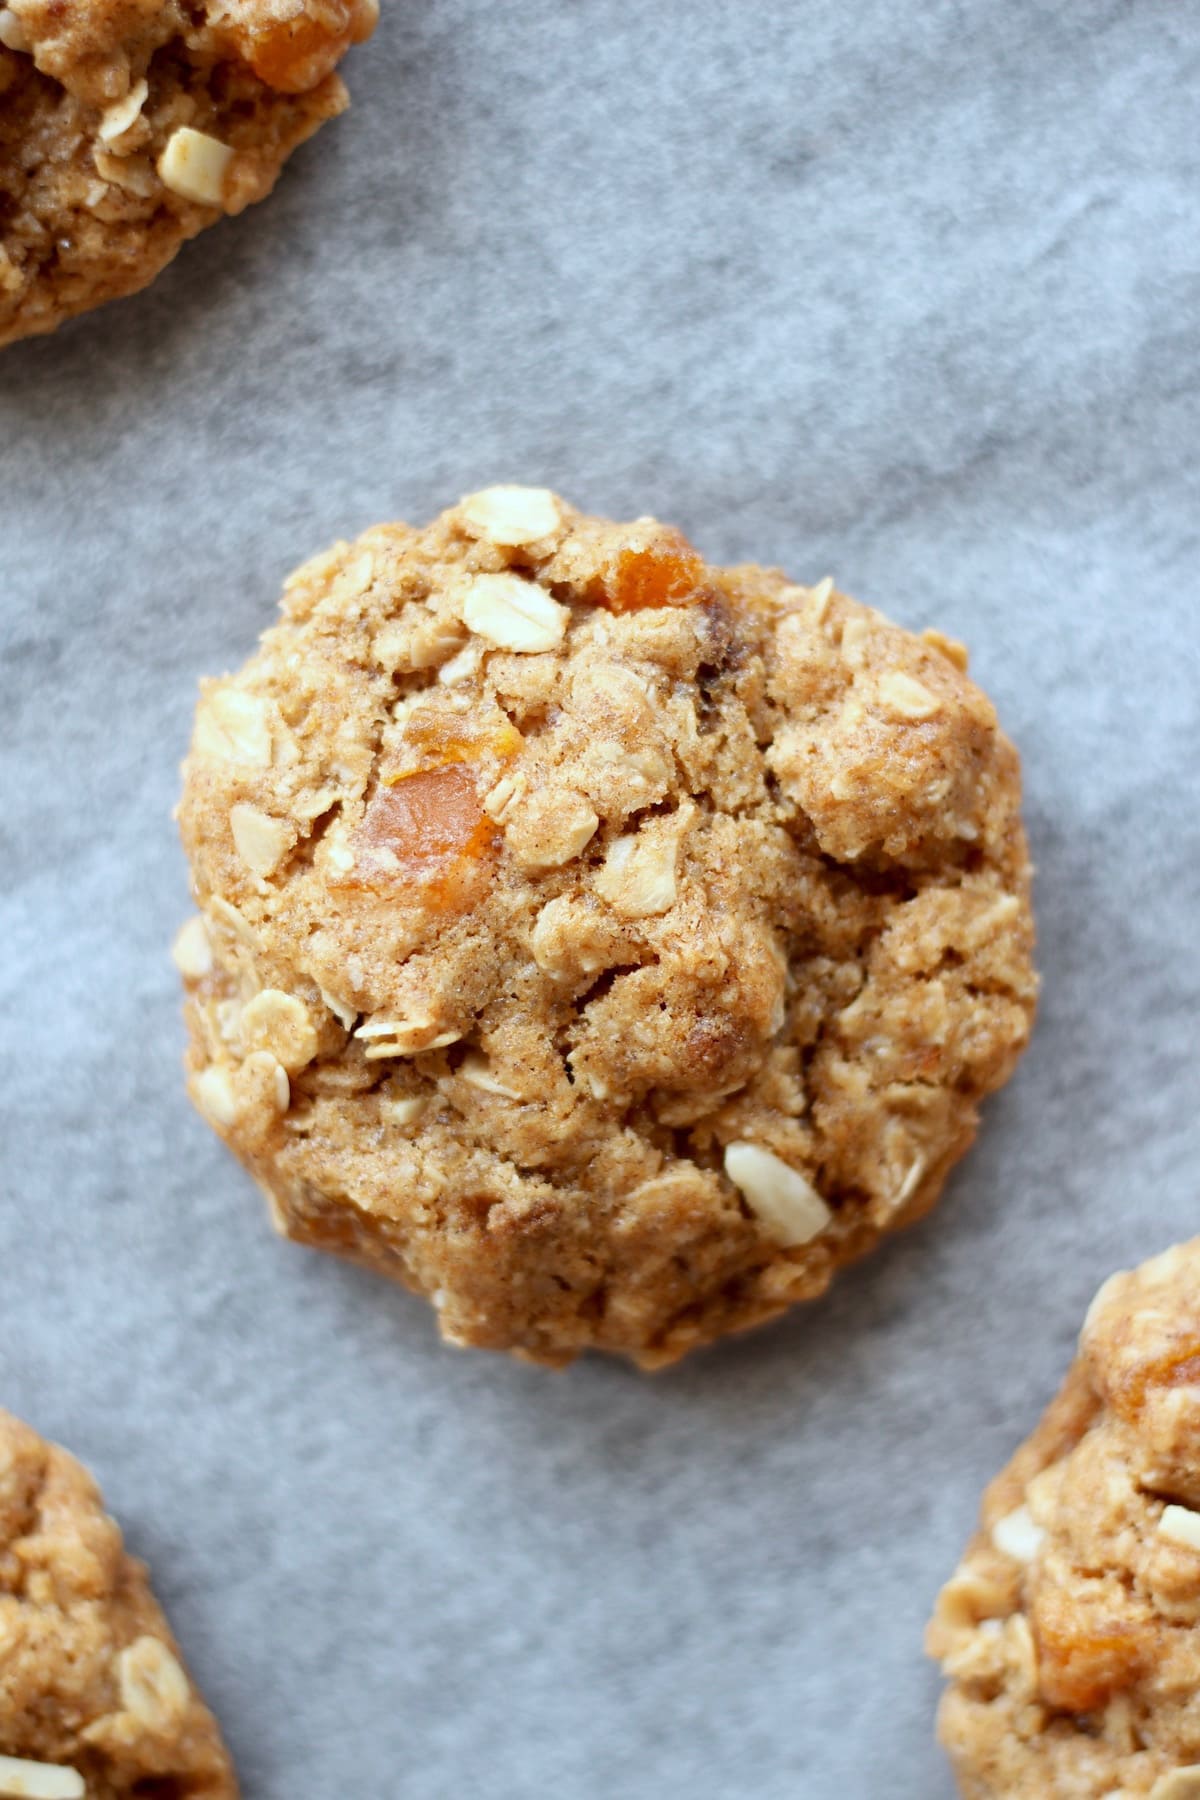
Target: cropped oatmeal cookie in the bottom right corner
{"x": 1071, "y": 1630}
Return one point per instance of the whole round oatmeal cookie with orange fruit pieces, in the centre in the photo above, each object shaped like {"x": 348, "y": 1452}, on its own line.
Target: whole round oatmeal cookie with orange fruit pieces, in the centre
{"x": 604, "y": 944}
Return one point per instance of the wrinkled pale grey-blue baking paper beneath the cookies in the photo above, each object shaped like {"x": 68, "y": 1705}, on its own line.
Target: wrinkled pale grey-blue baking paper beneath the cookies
{"x": 908, "y": 294}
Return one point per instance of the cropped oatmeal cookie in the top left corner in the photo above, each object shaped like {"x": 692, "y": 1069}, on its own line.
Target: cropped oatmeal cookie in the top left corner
{"x": 130, "y": 125}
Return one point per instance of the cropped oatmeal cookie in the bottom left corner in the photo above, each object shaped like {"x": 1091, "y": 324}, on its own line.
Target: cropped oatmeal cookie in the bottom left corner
{"x": 94, "y": 1698}
